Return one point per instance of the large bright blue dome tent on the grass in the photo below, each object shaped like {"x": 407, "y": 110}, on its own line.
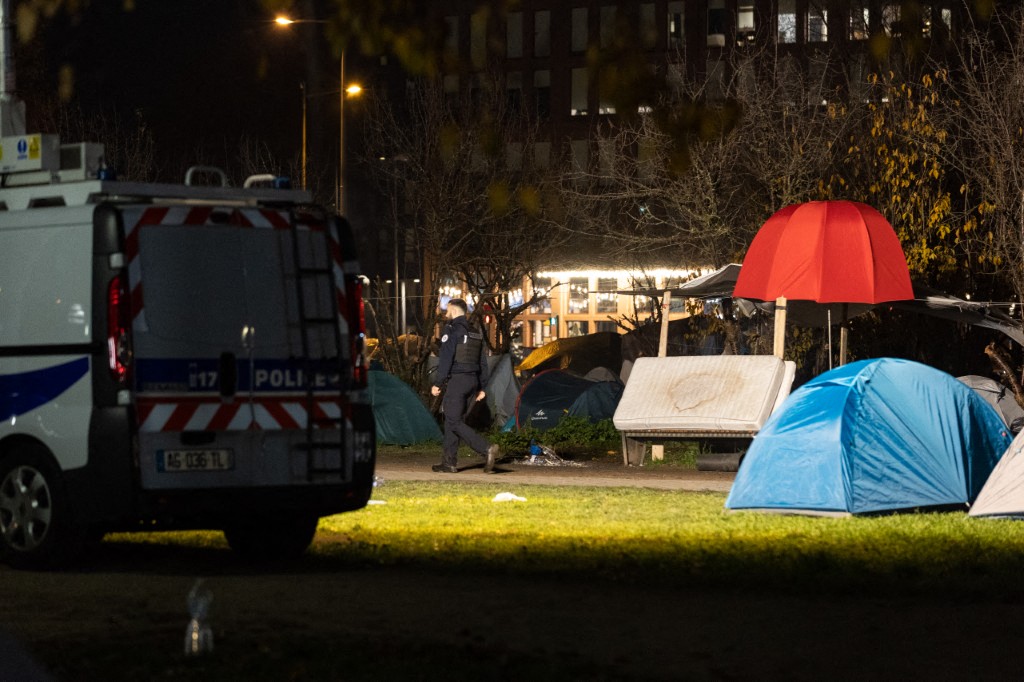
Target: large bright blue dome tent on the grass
{"x": 875, "y": 436}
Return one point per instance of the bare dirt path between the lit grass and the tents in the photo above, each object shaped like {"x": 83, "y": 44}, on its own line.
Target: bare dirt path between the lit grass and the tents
{"x": 413, "y": 466}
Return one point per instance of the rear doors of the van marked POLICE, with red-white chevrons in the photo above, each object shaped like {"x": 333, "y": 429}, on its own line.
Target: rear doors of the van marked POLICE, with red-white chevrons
{"x": 239, "y": 350}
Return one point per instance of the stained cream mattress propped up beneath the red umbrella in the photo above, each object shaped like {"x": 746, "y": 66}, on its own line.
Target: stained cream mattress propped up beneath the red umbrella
{"x": 703, "y": 394}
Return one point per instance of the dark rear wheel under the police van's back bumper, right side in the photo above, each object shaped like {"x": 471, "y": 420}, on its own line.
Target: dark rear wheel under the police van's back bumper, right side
{"x": 263, "y": 538}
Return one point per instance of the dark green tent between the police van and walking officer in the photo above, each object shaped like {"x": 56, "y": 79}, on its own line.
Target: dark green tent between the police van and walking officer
{"x": 402, "y": 418}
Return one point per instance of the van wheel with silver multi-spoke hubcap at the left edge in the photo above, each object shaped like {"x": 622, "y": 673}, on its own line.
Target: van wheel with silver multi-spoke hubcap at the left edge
{"x": 36, "y": 529}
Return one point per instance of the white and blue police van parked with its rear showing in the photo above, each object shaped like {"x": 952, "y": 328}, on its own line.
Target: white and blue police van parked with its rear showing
{"x": 174, "y": 357}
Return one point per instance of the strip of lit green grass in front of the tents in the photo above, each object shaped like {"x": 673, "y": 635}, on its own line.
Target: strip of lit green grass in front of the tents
{"x": 629, "y": 534}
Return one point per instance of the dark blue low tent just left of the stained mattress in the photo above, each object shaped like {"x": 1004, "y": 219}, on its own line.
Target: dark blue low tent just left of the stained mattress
{"x": 553, "y": 395}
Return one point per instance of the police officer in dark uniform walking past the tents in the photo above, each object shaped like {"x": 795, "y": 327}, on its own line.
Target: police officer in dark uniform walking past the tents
{"x": 463, "y": 367}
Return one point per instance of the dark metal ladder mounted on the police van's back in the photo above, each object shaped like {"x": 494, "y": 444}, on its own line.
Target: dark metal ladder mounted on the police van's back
{"x": 315, "y": 279}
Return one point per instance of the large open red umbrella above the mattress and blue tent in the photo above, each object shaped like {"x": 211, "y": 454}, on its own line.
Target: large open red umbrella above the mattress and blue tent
{"x": 828, "y": 252}
